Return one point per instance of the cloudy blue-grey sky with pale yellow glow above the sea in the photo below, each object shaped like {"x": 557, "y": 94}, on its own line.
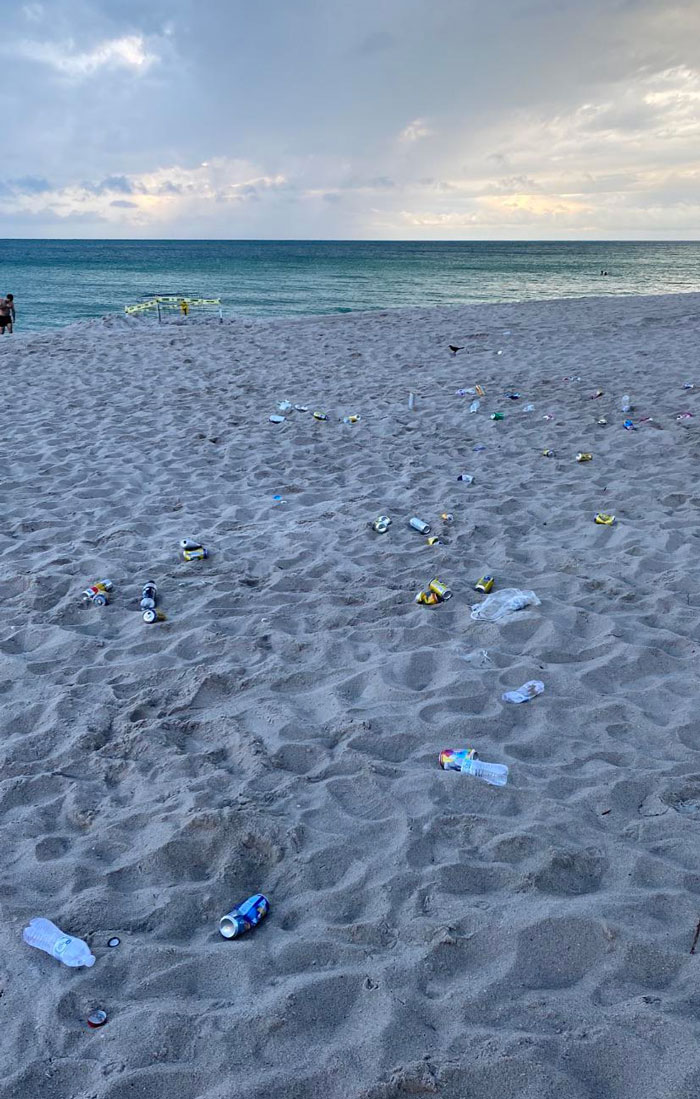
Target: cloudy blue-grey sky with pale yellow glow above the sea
{"x": 362, "y": 120}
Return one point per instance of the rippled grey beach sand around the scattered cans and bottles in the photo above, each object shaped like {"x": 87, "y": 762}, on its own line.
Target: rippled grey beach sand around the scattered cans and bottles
{"x": 429, "y": 935}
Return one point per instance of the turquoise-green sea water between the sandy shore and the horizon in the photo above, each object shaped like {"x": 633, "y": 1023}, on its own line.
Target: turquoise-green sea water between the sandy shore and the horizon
{"x": 60, "y": 282}
